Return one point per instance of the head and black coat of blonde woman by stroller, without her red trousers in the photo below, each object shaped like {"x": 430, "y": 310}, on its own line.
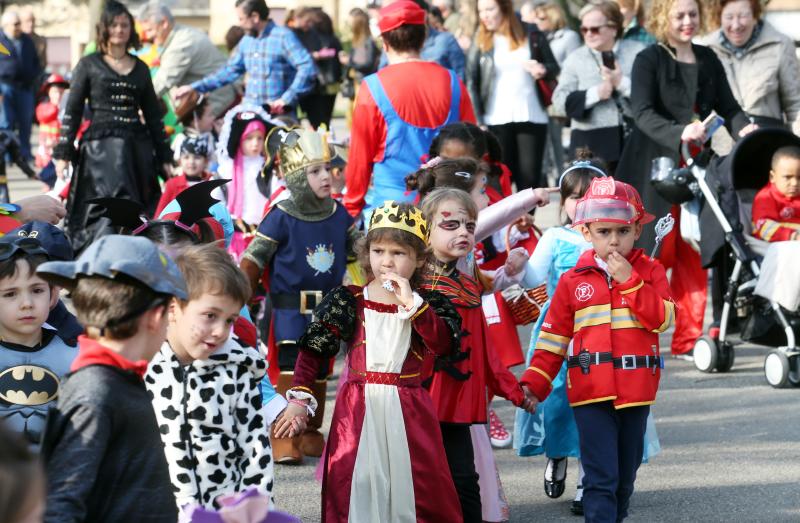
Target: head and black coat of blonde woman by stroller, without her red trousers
{"x": 675, "y": 86}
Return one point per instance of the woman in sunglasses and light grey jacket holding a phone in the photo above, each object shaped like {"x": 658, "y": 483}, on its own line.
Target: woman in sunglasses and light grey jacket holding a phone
{"x": 595, "y": 84}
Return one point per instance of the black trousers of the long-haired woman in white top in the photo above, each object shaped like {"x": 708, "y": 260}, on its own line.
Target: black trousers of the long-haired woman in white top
{"x": 523, "y": 151}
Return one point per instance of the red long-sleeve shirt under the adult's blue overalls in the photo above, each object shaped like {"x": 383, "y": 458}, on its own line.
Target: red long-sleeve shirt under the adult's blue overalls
{"x": 420, "y": 94}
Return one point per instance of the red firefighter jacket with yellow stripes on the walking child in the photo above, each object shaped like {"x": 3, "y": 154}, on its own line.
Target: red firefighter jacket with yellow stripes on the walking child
{"x": 600, "y": 315}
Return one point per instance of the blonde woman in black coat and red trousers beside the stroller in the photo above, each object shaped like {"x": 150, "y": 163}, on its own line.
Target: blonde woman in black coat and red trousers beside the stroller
{"x": 675, "y": 86}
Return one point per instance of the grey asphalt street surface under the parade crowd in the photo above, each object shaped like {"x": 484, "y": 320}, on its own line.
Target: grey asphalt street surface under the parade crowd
{"x": 730, "y": 450}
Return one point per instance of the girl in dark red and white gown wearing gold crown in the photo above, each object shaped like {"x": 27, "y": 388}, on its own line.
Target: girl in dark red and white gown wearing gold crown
{"x": 385, "y": 459}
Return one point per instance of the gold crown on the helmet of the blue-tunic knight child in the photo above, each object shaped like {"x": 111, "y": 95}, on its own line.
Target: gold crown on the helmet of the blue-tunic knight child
{"x": 298, "y": 149}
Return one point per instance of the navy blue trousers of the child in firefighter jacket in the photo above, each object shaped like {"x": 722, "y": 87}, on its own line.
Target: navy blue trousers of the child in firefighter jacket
{"x": 612, "y": 442}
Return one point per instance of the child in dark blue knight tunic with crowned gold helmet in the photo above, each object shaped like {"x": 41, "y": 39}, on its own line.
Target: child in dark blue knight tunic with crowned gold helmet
{"x": 304, "y": 242}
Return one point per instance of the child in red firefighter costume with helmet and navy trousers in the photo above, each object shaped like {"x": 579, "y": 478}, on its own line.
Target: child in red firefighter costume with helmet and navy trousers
{"x": 605, "y": 318}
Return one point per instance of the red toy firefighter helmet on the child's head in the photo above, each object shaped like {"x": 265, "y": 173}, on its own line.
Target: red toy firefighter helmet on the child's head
{"x": 608, "y": 200}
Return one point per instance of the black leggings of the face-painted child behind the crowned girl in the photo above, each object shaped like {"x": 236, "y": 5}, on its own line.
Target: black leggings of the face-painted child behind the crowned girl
{"x": 461, "y": 459}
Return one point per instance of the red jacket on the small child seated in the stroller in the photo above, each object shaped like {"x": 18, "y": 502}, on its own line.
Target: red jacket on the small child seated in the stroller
{"x": 775, "y": 216}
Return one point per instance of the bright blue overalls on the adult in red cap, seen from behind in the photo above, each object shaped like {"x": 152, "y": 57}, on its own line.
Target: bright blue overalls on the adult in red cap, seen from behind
{"x": 405, "y": 145}
